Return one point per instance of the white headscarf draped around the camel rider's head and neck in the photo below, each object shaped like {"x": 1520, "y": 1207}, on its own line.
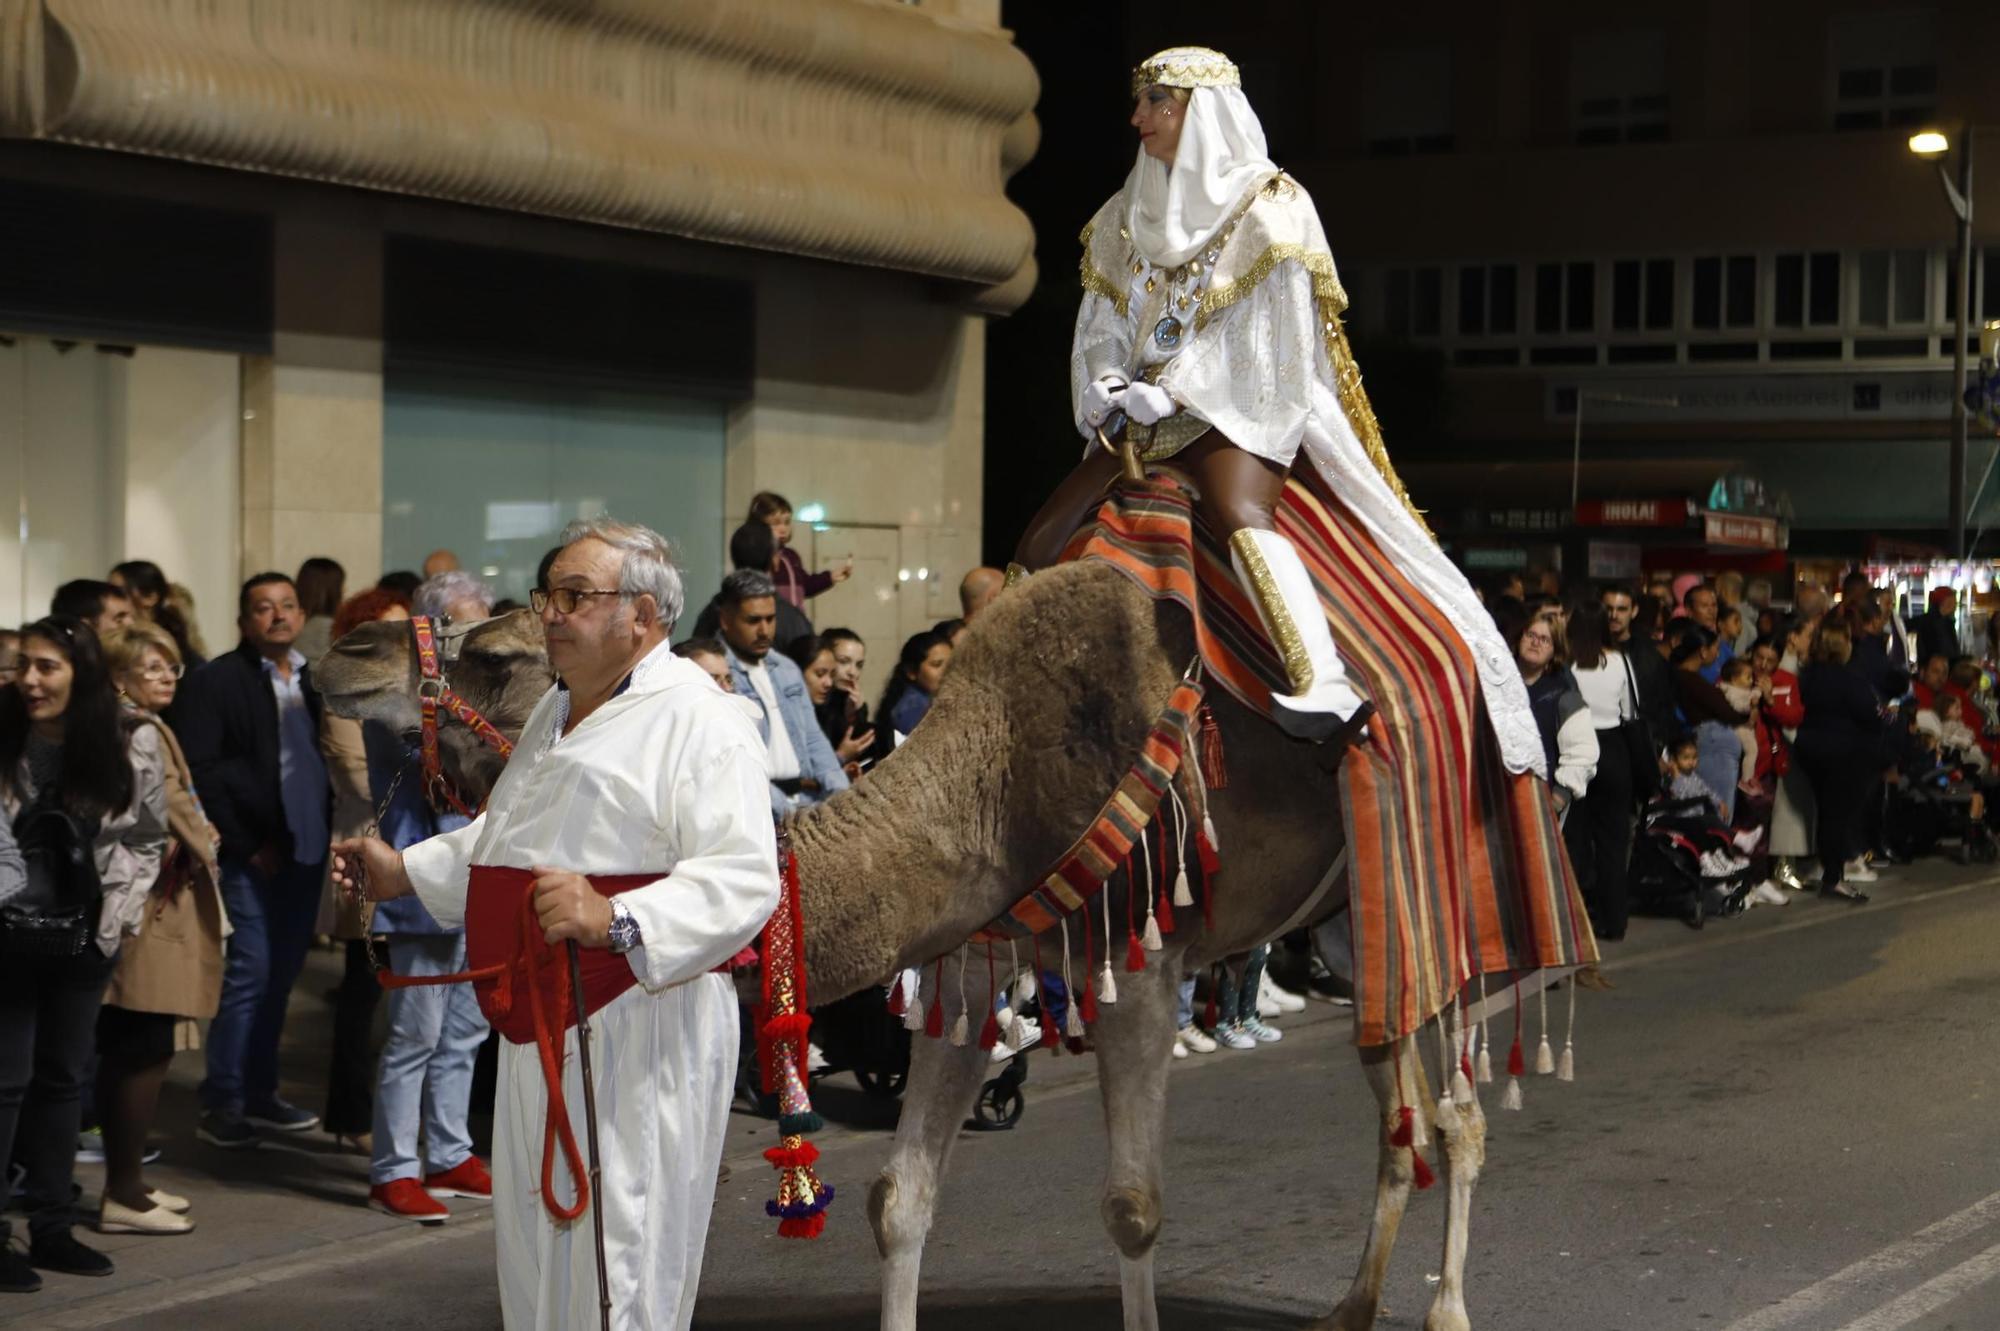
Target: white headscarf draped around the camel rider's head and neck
{"x": 1177, "y": 211}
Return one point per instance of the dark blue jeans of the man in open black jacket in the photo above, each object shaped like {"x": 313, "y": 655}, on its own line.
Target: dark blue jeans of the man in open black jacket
{"x": 273, "y": 928}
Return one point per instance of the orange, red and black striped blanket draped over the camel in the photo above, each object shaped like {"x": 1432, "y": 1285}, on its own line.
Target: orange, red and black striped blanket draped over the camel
{"x": 1455, "y": 864}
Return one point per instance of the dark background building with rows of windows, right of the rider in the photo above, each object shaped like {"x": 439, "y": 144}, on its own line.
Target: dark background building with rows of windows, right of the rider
{"x": 1697, "y": 225}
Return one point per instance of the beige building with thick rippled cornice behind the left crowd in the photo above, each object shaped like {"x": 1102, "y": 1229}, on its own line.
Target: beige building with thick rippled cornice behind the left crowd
{"x": 365, "y": 279}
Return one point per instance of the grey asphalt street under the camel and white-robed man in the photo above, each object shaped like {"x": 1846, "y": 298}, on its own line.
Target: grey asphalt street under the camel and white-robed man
{"x": 1781, "y": 1124}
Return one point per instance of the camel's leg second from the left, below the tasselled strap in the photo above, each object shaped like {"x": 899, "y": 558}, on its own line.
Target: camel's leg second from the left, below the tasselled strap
{"x": 1135, "y": 1042}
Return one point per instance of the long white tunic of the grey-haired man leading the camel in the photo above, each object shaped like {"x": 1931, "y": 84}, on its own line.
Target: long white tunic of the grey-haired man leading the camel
{"x": 669, "y": 778}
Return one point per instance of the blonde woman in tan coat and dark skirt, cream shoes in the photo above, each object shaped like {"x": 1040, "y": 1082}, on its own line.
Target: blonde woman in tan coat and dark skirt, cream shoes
{"x": 171, "y": 974}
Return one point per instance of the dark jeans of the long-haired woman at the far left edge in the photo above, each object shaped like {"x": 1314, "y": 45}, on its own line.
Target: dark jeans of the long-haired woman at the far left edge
{"x": 49, "y": 1018}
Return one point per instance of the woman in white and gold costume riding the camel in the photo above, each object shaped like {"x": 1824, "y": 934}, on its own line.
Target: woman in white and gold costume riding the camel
{"x": 1211, "y": 323}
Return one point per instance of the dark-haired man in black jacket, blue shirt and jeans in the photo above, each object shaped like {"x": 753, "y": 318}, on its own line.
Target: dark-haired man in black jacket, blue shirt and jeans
{"x": 251, "y": 726}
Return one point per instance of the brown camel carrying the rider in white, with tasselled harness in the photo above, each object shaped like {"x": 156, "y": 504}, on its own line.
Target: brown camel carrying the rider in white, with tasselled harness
{"x": 1043, "y": 712}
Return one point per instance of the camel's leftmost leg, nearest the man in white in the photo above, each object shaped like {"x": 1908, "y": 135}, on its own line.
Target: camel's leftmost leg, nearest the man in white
{"x": 905, "y": 1198}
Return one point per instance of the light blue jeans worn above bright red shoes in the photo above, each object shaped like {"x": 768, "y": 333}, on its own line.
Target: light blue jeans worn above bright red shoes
{"x": 435, "y": 1034}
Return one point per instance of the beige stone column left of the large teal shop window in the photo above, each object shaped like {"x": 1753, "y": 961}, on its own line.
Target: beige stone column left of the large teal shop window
{"x": 313, "y": 411}
